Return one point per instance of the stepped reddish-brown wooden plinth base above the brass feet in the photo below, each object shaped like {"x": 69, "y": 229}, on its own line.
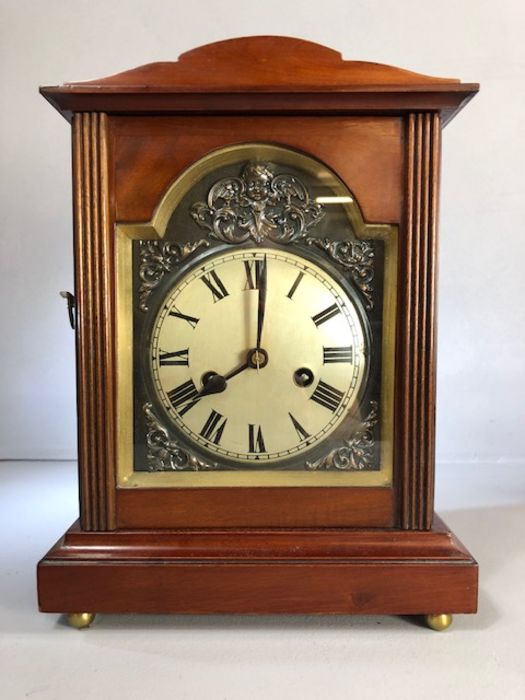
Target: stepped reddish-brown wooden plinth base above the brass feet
{"x": 372, "y": 571}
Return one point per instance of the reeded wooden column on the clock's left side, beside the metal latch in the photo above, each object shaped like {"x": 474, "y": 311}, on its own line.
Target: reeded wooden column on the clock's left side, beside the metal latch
{"x": 94, "y": 279}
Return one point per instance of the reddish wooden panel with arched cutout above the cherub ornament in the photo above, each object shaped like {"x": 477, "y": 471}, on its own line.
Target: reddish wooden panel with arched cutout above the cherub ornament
{"x": 151, "y": 152}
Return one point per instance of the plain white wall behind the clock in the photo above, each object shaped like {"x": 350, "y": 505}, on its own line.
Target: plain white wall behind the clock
{"x": 481, "y": 382}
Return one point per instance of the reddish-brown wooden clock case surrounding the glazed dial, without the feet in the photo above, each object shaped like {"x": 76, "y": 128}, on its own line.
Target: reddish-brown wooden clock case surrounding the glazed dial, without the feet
{"x": 277, "y": 548}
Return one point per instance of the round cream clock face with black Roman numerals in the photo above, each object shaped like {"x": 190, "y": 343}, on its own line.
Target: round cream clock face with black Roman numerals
{"x": 257, "y": 355}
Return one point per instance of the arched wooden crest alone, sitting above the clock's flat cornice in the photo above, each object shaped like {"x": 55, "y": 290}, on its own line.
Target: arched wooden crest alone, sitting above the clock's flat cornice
{"x": 260, "y": 63}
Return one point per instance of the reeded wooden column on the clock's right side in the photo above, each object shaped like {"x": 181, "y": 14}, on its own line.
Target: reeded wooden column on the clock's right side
{"x": 415, "y": 425}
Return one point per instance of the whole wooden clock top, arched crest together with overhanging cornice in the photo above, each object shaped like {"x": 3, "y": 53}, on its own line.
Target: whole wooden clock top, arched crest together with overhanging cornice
{"x": 262, "y": 74}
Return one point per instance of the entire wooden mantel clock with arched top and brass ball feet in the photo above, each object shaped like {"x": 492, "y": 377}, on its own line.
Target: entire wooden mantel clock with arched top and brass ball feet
{"x": 254, "y": 310}
